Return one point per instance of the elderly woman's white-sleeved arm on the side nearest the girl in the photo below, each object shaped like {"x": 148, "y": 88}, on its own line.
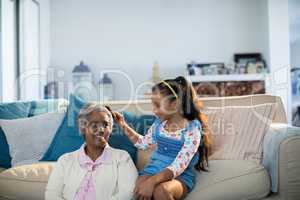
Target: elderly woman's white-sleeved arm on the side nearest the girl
{"x": 127, "y": 175}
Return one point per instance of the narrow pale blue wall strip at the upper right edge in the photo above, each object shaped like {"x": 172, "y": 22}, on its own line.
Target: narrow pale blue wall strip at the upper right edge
{"x": 294, "y": 16}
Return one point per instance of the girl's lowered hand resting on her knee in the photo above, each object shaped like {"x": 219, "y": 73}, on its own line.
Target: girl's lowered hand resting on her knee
{"x": 145, "y": 189}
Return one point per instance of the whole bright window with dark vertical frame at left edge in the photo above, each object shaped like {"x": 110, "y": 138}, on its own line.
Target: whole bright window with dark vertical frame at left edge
{"x": 20, "y": 50}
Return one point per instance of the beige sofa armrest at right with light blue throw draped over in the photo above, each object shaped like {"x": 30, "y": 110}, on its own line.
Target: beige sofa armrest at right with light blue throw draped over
{"x": 281, "y": 157}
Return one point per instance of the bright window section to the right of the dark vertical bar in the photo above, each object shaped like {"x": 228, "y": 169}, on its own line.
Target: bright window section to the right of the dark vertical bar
{"x": 30, "y": 80}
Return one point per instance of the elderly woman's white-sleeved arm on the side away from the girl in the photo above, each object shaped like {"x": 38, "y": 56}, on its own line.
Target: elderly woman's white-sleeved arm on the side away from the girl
{"x": 55, "y": 184}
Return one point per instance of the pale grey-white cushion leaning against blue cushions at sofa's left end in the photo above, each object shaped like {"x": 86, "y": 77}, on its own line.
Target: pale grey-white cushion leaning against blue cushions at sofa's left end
{"x": 29, "y": 138}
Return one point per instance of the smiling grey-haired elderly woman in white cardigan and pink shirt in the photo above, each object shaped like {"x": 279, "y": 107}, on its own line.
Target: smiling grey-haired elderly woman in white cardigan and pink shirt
{"x": 96, "y": 170}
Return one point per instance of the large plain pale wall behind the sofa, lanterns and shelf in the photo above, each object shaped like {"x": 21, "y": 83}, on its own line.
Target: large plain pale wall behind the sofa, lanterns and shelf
{"x": 131, "y": 35}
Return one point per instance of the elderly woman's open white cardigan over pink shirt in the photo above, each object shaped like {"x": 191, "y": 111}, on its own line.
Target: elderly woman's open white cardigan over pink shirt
{"x": 114, "y": 179}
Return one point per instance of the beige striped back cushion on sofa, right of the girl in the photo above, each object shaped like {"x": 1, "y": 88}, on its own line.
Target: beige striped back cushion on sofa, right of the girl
{"x": 238, "y": 131}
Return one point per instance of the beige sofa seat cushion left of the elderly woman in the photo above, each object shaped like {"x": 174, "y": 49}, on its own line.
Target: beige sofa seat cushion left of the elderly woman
{"x": 27, "y": 182}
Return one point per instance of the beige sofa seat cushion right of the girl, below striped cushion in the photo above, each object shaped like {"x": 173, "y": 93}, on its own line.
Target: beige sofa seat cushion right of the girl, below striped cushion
{"x": 231, "y": 180}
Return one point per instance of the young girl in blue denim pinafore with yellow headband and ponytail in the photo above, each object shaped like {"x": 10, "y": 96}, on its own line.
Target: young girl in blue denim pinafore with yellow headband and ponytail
{"x": 177, "y": 132}
